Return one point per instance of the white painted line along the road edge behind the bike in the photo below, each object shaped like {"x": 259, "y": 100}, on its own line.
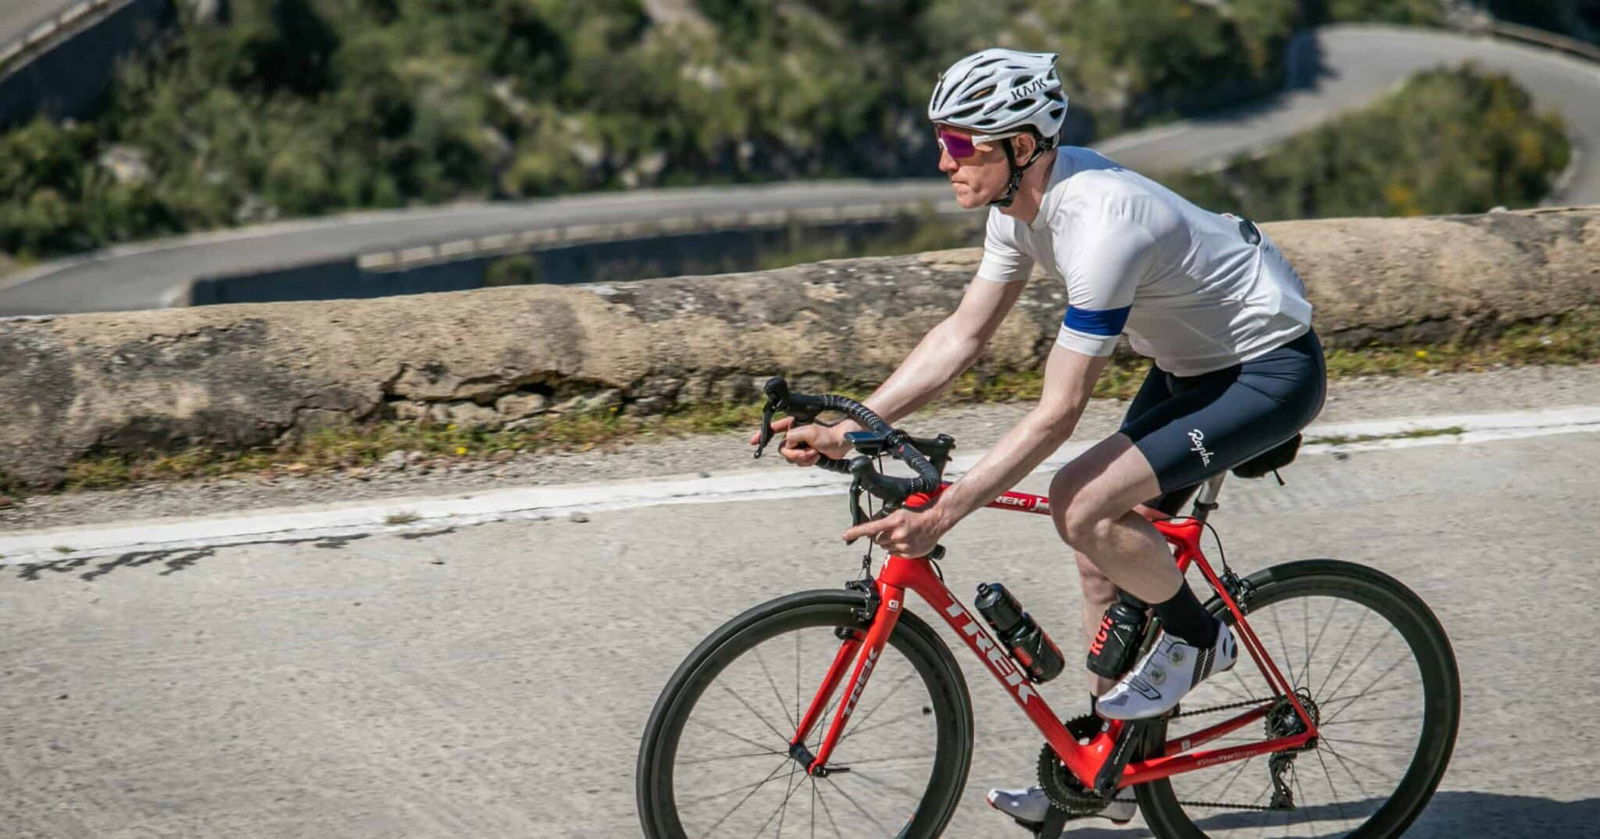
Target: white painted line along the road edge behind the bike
{"x": 434, "y": 513}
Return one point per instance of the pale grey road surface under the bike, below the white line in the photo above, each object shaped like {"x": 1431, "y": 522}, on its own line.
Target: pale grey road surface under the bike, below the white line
{"x": 494, "y": 681}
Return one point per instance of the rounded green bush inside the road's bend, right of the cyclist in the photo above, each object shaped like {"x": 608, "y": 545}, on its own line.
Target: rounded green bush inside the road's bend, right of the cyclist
{"x": 1447, "y": 142}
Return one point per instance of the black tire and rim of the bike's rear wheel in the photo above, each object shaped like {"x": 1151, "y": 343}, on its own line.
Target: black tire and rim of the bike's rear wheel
{"x": 1441, "y": 688}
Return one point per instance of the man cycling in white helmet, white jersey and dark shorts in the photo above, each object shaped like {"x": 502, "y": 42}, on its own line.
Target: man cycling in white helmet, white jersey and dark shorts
{"x": 1238, "y": 367}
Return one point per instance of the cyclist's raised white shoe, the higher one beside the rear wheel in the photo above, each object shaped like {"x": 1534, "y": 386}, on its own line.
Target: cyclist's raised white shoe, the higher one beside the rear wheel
{"x": 1166, "y": 675}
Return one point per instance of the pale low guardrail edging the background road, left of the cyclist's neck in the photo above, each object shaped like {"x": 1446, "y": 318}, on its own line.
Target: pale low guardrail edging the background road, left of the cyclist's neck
{"x": 586, "y": 235}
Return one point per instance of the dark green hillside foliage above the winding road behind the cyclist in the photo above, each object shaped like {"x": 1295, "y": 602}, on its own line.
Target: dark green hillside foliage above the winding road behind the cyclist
{"x": 308, "y": 106}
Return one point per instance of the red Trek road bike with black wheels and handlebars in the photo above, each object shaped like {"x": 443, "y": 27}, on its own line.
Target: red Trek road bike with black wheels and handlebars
{"x": 769, "y": 726}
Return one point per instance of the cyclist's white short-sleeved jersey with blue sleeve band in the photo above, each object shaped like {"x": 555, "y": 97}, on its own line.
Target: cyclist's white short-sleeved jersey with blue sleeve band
{"x": 1188, "y": 286}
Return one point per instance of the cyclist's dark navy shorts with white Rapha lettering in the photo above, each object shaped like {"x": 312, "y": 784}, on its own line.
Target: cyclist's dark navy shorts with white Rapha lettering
{"x": 1193, "y": 428}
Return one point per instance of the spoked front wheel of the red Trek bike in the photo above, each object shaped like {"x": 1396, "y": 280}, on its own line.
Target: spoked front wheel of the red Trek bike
{"x": 714, "y": 760}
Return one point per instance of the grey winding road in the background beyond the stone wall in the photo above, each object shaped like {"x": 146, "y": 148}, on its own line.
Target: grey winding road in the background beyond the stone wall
{"x": 1334, "y": 70}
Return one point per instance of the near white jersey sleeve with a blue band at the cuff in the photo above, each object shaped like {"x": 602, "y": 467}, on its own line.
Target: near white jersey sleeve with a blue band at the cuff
{"x": 1103, "y": 263}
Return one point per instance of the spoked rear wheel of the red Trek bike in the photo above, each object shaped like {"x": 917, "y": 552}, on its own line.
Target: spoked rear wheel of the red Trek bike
{"x": 1378, "y": 675}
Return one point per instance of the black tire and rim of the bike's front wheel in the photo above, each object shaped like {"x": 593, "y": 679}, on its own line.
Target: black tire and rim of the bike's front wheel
{"x": 913, "y": 638}
